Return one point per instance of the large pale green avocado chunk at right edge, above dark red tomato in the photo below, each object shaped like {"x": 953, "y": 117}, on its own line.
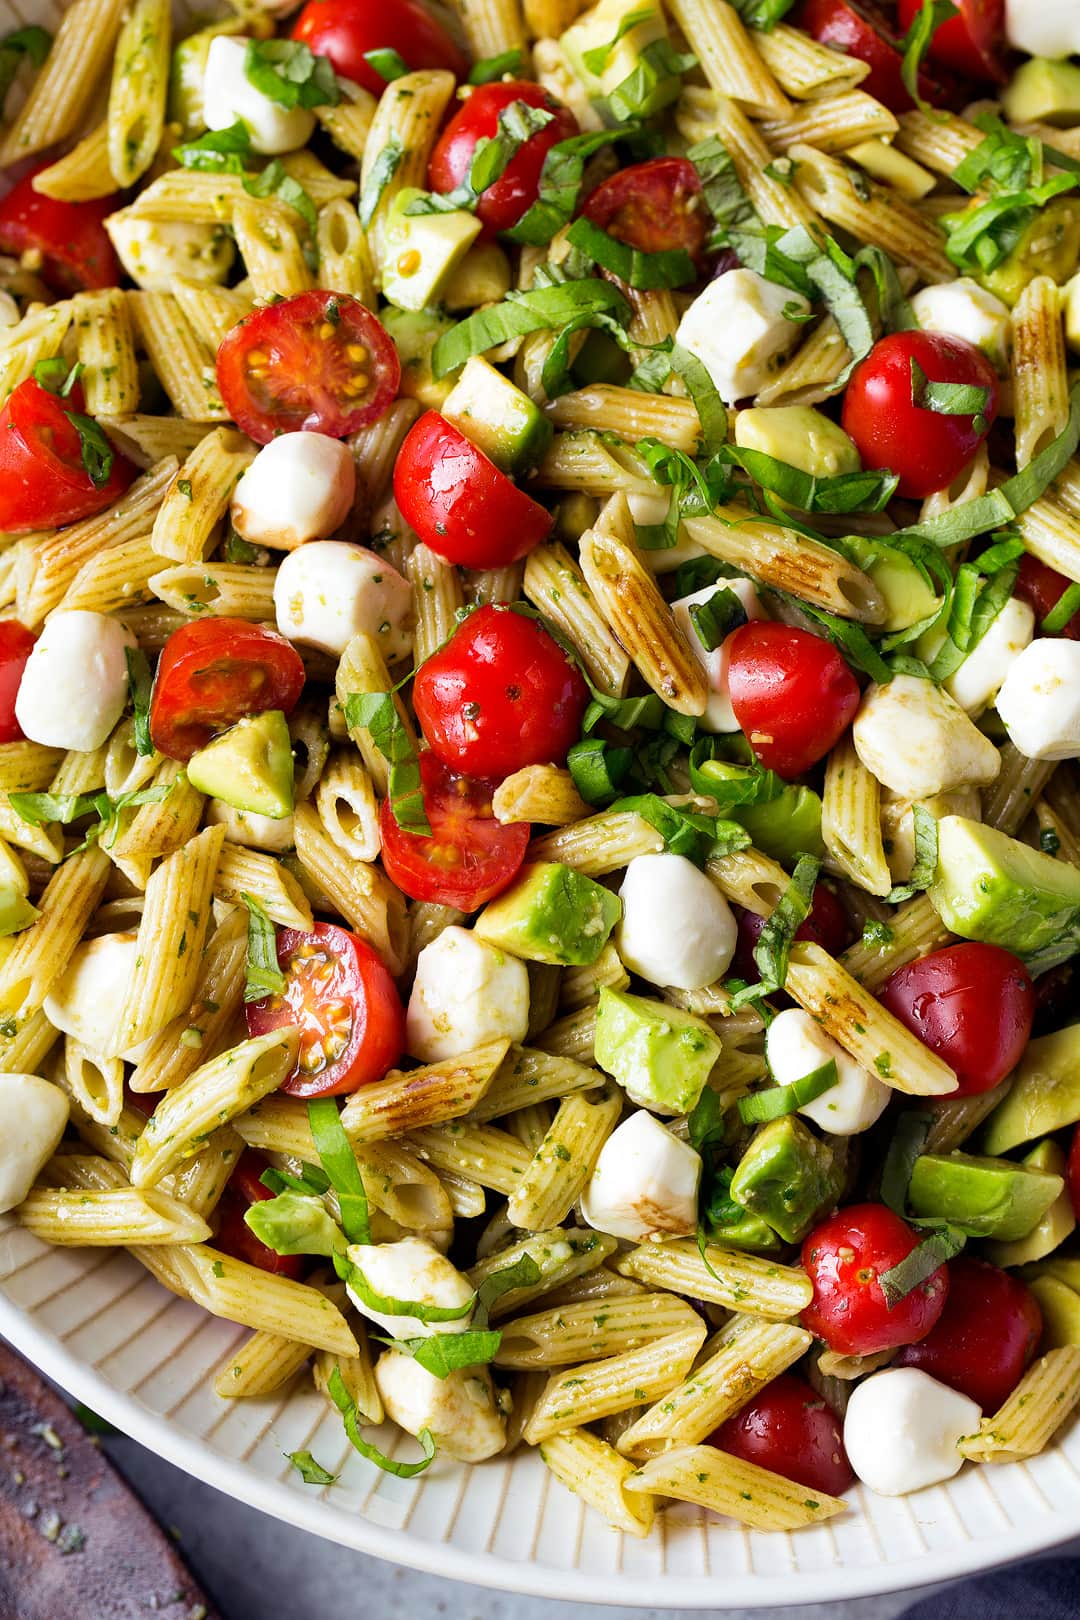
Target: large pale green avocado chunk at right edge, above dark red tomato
{"x": 995, "y": 889}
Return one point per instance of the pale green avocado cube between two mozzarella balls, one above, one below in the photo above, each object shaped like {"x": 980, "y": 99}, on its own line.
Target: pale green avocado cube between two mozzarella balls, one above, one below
{"x": 660, "y": 1055}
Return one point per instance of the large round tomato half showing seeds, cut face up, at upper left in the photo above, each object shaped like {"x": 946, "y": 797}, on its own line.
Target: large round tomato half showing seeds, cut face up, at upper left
{"x": 317, "y": 362}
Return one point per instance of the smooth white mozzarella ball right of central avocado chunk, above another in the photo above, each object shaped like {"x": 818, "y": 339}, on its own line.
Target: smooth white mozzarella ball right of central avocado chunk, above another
{"x": 676, "y": 927}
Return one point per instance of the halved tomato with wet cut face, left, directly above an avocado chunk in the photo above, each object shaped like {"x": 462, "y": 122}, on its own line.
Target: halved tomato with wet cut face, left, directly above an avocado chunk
{"x": 211, "y": 673}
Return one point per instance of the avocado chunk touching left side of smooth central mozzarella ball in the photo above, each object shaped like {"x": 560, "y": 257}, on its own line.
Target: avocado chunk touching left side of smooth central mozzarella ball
{"x": 551, "y": 914}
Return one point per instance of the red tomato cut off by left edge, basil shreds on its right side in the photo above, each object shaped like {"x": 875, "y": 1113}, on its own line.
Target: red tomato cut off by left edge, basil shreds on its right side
{"x": 43, "y": 479}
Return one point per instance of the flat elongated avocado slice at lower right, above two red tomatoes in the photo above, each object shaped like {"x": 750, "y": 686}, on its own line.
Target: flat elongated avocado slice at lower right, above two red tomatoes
{"x": 985, "y": 1198}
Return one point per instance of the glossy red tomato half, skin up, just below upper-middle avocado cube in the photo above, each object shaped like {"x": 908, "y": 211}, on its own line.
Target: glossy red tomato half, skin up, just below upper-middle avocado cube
{"x": 459, "y": 503}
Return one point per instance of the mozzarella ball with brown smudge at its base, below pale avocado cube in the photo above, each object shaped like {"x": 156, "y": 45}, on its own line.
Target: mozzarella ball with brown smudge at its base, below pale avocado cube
{"x": 645, "y": 1183}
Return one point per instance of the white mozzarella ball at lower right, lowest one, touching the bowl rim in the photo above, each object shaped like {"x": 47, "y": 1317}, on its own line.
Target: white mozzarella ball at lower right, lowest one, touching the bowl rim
{"x": 903, "y": 1428}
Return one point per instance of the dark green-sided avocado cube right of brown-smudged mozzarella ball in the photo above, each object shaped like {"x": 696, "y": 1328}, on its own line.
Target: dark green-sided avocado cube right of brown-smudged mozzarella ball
{"x": 788, "y": 1177}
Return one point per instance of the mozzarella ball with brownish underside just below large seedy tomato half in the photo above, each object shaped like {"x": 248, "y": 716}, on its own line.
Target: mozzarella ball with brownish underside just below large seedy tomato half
{"x": 300, "y": 487}
